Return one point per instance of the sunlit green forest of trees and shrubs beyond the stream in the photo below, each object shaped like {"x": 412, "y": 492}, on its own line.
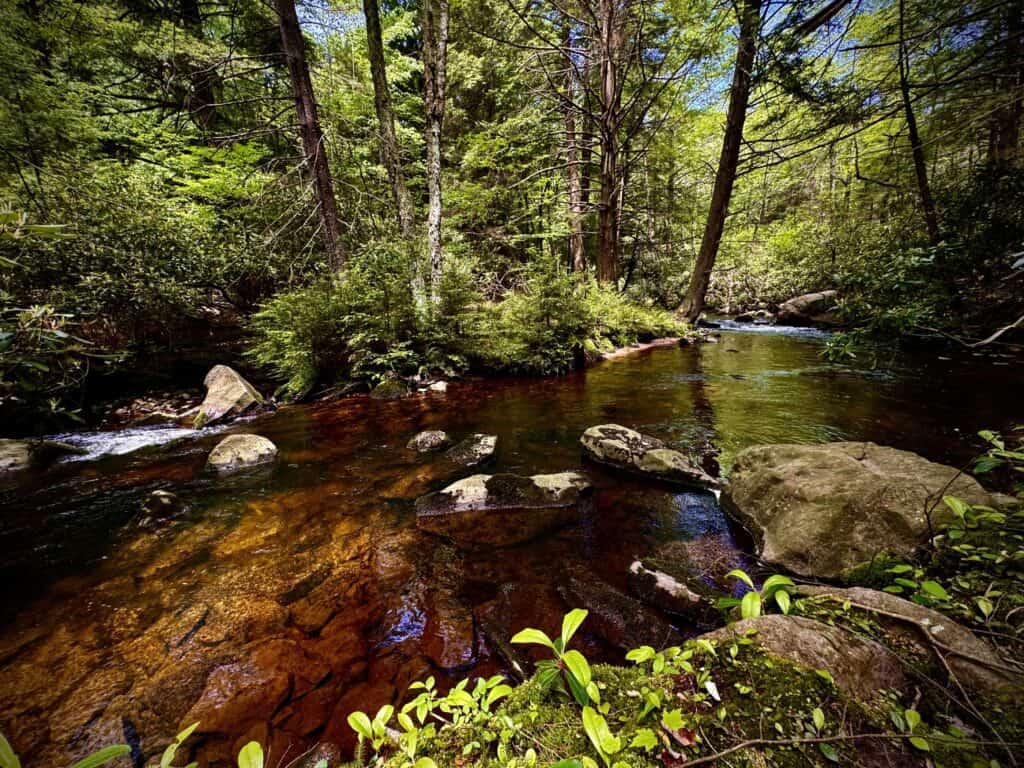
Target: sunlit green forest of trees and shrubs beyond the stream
{"x": 363, "y": 189}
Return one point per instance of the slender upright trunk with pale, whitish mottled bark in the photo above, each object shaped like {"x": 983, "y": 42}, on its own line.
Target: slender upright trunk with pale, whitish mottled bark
{"x": 436, "y": 30}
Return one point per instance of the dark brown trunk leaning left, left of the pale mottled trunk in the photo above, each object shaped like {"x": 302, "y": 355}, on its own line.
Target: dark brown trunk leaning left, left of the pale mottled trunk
{"x": 314, "y": 150}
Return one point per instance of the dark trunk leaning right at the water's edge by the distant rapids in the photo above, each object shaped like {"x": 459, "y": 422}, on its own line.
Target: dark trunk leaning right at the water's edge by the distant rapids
{"x": 726, "y": 178}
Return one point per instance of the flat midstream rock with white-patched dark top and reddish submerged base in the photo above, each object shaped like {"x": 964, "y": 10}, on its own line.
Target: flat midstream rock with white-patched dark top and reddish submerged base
{"x": 503, "y": 510}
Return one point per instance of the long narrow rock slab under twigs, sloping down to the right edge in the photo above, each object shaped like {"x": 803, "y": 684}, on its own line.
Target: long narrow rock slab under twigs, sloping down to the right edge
{"x": 972, "y": 660}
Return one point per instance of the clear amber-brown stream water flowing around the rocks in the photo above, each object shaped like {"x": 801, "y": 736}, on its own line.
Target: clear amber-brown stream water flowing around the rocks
{"x": 273, "y": 605}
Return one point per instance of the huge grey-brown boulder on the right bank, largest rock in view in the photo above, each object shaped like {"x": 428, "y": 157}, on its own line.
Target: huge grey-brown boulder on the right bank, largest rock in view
{"x": 822, "y": 510}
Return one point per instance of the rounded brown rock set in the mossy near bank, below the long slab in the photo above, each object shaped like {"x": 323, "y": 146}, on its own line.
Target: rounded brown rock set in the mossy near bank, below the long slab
{"x": 861, "y": 667}
